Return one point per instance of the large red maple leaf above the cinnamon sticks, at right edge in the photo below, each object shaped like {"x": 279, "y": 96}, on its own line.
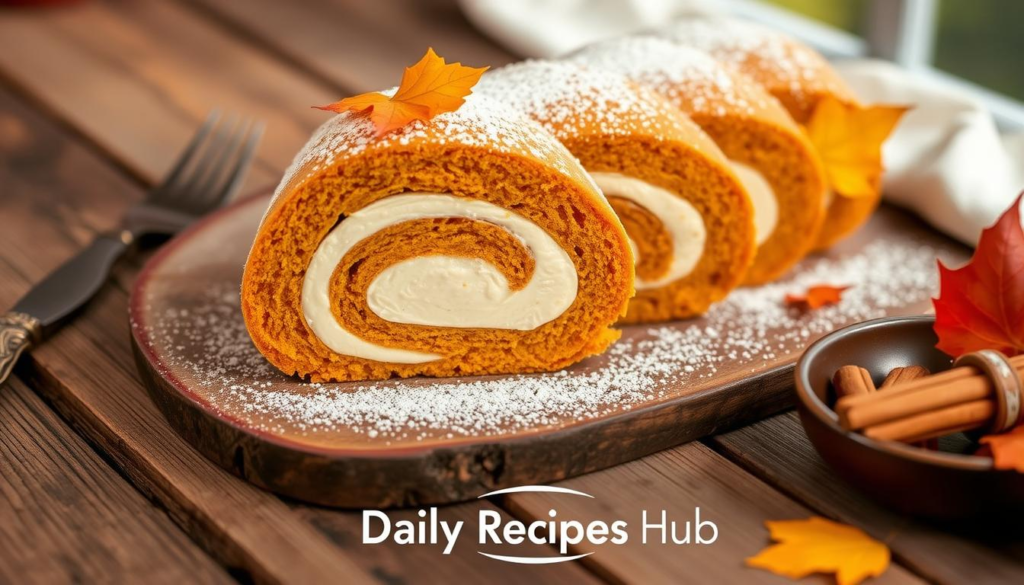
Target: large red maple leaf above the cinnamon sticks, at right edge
{"x": 982, "y": 306}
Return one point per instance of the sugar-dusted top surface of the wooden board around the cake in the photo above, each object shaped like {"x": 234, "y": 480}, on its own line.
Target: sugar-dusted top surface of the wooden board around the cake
{"x": 209, "y": 345}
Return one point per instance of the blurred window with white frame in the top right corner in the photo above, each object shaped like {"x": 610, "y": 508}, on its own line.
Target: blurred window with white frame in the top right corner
{"x": 974, "y": 46}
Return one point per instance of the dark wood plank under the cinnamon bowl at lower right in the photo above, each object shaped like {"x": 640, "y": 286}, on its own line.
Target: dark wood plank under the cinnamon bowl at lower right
{"x": 778, "y": 451}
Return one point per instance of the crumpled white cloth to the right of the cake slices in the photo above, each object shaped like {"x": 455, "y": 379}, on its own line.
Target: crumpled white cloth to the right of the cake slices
{"x": 947, "y": 161}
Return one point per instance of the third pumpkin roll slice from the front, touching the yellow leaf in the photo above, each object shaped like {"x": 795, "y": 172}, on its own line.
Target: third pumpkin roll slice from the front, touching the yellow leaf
{"x": 765, "y": 148}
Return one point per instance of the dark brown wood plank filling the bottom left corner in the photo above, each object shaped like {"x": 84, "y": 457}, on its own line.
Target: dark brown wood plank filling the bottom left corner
{"x": 67, "y": 517}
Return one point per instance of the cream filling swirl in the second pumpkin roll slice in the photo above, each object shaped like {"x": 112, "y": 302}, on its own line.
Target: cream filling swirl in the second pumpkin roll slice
{"x": 681, "y": 221}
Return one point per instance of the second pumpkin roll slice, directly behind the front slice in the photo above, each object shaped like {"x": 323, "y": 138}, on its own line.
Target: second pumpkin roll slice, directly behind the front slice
{"x": 689, "y": 219}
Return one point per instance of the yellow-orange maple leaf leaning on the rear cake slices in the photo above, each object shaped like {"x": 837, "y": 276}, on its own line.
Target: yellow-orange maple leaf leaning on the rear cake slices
{"x": 849, "y": 138}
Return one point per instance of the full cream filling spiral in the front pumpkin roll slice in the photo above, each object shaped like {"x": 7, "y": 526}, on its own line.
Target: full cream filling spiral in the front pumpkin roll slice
{"x": 437, "y": 290}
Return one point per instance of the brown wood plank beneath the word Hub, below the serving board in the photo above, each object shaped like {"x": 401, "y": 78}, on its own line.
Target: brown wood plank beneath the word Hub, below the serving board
{"x": 676, "y": 481}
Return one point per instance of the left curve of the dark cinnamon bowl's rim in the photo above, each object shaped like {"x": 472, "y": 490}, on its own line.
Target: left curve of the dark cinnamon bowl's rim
{"x": 818, "y": 408}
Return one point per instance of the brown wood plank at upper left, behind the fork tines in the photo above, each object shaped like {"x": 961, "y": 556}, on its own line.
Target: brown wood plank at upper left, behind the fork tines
{"x": 138, "y": 78}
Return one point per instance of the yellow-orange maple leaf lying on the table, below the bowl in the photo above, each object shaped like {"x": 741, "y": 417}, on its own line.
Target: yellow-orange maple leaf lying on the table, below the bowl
{"x": 820, "y": 546}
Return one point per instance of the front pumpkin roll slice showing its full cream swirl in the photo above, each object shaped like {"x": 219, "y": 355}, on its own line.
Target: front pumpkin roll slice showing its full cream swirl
{"x": 473, "y": 243}
